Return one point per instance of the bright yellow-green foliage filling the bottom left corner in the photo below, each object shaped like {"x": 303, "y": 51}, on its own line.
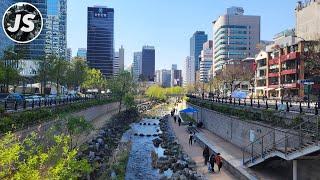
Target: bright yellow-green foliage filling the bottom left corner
{"x": 32, "y": 159}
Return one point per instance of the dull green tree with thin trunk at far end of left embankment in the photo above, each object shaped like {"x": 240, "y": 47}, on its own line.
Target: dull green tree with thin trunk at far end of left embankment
{"x": 121, "y": 85}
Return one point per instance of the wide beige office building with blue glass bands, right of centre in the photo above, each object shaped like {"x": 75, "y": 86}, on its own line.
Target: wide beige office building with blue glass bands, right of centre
{"x": 235, "y": 37}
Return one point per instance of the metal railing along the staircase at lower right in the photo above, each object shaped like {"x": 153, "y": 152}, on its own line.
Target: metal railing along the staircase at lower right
{"x": 284, "y": 142}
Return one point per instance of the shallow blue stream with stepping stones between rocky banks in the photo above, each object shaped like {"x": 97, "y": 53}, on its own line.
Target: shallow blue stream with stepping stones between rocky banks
{"x": 139, "y": 164}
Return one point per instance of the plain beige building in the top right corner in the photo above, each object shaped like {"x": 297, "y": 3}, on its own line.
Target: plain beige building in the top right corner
{"x": 308, "y": 20}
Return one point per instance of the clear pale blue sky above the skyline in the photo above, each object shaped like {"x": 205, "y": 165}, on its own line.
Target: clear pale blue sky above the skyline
{"x": 169, "y": 24}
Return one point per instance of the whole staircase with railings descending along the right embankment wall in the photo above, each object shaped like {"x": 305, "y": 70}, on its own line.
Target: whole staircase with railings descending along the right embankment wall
{"x": 289, "y": 145}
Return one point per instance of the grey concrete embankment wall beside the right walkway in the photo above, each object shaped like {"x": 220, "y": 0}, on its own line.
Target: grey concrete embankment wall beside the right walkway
{"x": 237, "y": 131}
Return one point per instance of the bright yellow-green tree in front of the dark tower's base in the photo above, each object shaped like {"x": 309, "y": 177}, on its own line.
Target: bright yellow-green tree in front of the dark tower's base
{"x": 93, "y": 79}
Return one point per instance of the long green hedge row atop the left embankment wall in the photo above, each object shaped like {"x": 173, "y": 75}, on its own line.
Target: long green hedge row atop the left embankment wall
{"x": 21, "y": 120}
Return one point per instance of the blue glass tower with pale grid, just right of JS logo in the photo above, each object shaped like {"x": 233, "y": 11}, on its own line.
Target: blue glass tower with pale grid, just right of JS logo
{"x": 56, "y": 28}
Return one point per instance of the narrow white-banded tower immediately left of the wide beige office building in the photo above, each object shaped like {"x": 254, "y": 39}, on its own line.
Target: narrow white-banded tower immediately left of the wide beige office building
{"x": 206, "y": 59}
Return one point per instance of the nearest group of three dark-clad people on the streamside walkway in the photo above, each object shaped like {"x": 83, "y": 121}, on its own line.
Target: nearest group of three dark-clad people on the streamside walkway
{"x": 211, "y": 160}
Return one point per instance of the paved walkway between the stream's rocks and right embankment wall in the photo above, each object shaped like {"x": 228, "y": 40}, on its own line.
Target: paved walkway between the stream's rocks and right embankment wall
{"x": 195, "y": 152}
